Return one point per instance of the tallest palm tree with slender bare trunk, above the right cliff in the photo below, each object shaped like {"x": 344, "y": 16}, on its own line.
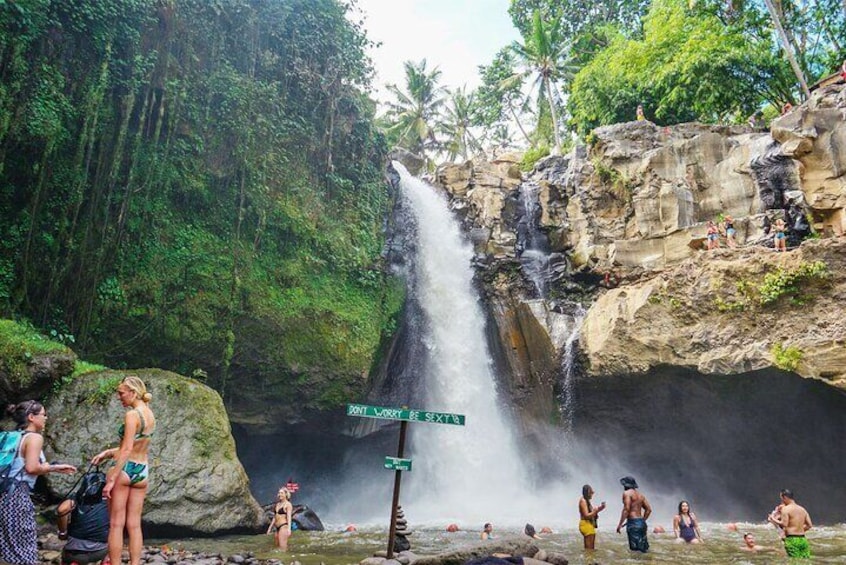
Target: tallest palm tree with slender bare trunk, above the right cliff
{"x": 545, "y": 54}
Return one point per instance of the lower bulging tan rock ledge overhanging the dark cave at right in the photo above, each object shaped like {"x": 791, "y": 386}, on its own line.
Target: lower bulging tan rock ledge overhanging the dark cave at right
{"x": 707, "y": 314}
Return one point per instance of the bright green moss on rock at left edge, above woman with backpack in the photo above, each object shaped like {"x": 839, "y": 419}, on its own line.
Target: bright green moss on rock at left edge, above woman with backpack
{"x": 20, "y": 342}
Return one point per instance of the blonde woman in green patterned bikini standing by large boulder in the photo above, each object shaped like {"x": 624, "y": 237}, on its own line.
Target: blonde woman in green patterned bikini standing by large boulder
{"x": 126, "y": 482}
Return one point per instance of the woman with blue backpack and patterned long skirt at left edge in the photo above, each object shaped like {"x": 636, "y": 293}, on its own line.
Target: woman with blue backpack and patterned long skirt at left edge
{"x": 18, "y": 541}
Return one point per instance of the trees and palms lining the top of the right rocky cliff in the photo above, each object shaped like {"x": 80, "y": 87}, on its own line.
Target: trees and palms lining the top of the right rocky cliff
{"x": 586, "y": 63}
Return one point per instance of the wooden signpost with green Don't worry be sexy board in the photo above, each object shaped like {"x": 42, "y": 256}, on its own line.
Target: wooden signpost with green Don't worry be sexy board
{"x": 399, "y": 463}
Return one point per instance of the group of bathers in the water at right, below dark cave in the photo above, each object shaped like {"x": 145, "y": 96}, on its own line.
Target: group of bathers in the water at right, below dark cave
{"x": 790, "y": 518}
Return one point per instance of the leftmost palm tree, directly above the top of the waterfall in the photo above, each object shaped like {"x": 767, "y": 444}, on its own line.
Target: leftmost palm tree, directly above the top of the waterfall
{"x": 412, "y": 116}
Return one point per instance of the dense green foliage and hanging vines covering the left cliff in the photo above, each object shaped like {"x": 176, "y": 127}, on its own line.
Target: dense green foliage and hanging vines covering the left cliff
{"x": 196, "y": 185}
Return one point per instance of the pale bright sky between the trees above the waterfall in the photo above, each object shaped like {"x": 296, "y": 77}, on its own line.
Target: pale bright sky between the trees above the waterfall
{"x": 454, "y": 35}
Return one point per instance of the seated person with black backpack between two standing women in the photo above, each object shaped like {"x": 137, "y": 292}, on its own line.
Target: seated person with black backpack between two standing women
{"x": 84, "y": 522}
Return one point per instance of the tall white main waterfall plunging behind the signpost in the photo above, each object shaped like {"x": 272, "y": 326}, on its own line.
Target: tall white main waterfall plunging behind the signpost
{"x": 466, "y": 472}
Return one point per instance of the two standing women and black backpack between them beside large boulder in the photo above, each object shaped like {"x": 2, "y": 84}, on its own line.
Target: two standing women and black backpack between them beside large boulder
{"x": 113, "y": 504}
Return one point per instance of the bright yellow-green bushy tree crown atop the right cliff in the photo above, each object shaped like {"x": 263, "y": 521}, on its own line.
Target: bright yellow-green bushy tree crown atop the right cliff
{"x": 687, "y": 66}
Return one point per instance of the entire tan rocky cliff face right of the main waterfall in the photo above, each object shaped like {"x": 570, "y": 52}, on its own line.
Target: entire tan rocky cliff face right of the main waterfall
{"x": 636, "y": 203}
